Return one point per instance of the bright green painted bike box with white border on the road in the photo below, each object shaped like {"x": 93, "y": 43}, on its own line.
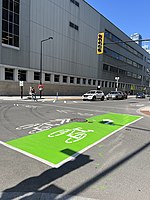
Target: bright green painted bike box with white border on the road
{"x": 61, "y": 144}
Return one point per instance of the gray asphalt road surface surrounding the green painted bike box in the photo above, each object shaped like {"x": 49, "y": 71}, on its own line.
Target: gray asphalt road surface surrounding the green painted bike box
{"x": 117, "y": 168}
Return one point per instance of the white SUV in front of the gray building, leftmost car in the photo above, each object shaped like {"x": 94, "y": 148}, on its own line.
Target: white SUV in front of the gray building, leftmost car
{"x": 93, "y": 95}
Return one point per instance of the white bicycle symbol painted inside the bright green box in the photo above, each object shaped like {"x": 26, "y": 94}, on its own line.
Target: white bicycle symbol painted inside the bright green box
{"x": 75, "y": 134}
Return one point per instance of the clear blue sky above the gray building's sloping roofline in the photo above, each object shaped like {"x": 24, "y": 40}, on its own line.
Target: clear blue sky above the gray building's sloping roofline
{"x": 130, "y": 16}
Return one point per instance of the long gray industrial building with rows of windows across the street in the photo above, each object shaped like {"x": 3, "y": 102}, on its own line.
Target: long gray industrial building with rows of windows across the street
{"x": 70, "y": 64}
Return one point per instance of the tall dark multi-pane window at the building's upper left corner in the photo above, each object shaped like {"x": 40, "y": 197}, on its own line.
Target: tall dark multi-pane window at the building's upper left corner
{"x": 10, "y": 22}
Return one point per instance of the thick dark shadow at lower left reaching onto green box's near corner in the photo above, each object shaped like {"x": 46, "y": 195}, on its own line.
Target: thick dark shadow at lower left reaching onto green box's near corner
{"x": 31, "y": 188}
